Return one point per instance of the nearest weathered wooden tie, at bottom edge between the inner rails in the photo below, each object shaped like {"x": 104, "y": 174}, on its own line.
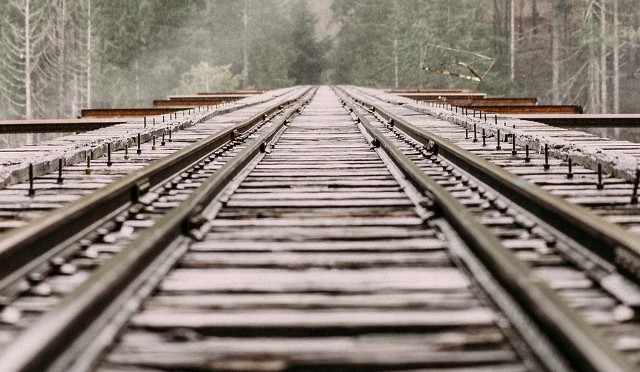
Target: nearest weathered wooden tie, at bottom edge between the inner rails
{"x": 452, "y": 349}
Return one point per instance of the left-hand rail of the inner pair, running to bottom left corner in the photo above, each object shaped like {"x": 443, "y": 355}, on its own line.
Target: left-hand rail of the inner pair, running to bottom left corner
{"x": 45, "y": 342}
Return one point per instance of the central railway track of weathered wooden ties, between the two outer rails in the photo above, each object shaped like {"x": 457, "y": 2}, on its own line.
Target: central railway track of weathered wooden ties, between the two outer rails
{"x": 330, "y": 240}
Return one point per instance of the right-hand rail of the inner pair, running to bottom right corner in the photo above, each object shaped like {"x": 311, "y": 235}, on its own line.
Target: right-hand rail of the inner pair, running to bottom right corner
{"x": 579, "y": 342}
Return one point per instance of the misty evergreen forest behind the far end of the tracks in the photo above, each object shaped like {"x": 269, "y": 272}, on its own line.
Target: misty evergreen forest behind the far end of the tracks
{"x": 63, "y": 55}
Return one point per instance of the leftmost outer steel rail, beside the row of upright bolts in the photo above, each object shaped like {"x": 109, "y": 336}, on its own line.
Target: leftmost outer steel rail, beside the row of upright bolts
{"x": 22, "y": 249}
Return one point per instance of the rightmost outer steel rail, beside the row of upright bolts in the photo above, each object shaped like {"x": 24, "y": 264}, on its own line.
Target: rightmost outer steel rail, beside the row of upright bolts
{"x": 607, "y": 240}
